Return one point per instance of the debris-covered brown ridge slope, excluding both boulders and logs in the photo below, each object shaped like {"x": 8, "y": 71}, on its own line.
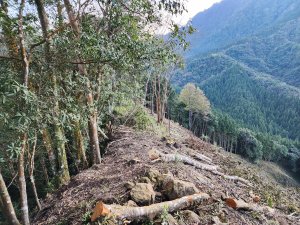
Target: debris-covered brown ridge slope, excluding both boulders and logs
{"x": 126, "y": 159}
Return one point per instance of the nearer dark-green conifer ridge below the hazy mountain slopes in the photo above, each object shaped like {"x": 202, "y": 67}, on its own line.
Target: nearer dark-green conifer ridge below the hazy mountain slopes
{"x": 253, "y": 98}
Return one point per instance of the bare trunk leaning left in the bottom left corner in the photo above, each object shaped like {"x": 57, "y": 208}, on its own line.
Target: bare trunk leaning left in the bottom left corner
{"x": 6, "y": 204}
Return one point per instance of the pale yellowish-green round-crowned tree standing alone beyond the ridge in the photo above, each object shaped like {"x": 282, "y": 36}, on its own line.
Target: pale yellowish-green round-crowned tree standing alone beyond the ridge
{"x": 195, "y": 101}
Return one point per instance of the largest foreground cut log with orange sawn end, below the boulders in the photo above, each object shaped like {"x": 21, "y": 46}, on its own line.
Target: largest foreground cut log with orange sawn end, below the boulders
{"x": 136, "y": 213}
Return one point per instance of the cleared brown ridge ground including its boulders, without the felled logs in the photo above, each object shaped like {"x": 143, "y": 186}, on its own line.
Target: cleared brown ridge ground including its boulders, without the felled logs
{"x": 130, "y": 177}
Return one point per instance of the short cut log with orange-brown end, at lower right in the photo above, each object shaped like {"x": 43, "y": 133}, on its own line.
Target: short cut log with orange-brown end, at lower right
{"x": 240, "y": 204}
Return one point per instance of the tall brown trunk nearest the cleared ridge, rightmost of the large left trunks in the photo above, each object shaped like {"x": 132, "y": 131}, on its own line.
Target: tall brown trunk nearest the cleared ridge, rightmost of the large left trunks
{"x": 93, "y": 125}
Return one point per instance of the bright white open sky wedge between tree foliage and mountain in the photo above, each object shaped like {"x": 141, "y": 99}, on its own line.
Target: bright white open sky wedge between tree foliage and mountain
{"x": 194, "y": 7}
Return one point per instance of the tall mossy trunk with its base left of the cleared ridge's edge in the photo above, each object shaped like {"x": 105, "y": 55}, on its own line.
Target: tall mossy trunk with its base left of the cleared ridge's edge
{"x": 64, "y": 175}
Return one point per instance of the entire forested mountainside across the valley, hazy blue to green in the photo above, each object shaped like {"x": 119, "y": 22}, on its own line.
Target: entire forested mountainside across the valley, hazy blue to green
{"x": 246, "y": 57}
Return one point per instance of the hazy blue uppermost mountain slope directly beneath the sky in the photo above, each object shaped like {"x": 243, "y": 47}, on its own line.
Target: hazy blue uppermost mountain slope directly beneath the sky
{"x": 232, "y": 20}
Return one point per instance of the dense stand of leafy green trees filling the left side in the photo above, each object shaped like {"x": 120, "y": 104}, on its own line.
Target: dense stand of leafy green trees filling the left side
{"x": 64, "y": 68}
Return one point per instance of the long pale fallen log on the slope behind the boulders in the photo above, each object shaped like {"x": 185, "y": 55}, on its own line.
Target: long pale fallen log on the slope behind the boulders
{"x": 191, "y": 161}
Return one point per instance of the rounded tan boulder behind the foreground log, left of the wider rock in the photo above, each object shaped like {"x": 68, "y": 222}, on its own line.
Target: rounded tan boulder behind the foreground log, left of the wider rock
{"x": 142, "y": 194}
